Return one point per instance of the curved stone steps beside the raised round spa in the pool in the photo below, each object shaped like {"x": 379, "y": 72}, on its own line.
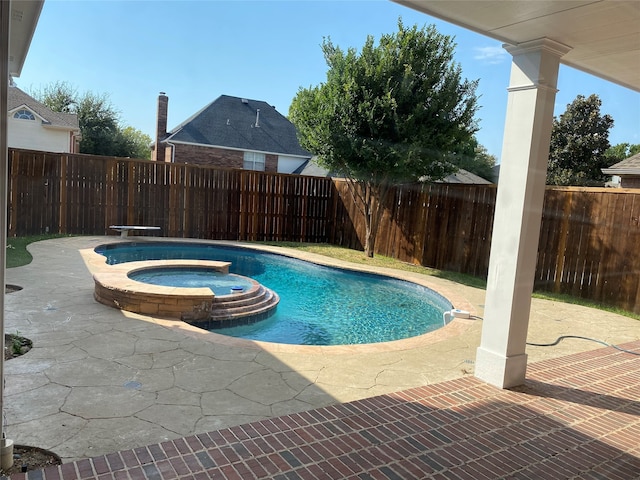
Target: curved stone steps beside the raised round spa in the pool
{"x": 240, "y": 308}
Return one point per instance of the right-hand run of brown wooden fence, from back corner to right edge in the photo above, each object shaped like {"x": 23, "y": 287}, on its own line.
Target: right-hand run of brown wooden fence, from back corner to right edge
{"x": 589, "y": 238}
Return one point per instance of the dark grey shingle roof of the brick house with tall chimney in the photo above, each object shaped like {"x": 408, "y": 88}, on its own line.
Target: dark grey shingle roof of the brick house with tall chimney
{"x": 233, "y": 122}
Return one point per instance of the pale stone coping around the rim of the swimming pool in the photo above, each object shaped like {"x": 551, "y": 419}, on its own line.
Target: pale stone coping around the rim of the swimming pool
{"x": 96, "y": 264}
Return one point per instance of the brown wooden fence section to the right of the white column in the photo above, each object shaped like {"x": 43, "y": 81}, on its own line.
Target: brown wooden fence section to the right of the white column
{"x": 590, "y": 245}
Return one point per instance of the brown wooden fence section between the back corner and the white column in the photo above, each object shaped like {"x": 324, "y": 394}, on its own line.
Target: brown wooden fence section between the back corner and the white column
{"x": 441, "y": 225}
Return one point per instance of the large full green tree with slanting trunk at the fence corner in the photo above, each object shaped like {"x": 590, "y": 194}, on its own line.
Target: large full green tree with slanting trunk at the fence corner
{"x": 395, "y": 112}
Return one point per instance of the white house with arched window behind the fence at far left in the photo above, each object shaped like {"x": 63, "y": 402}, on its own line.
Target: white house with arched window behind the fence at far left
{"x": 34, "y": 126}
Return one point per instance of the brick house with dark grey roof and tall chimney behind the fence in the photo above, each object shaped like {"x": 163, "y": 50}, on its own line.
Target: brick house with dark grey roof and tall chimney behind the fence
{"x": 230, "y": 132}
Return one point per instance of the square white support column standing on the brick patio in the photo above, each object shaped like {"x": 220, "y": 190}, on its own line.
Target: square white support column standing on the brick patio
{"x": 501, "y": 359}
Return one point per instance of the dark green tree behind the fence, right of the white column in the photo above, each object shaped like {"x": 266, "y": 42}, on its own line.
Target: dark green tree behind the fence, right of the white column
{"x": 579, "y": 142}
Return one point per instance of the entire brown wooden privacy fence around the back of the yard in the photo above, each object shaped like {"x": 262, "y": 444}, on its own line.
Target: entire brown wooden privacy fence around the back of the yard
{"x": 588, "y": 245}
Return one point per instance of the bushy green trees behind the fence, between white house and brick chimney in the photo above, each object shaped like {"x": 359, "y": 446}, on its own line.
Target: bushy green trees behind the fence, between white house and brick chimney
{"x": 102, "y": 132}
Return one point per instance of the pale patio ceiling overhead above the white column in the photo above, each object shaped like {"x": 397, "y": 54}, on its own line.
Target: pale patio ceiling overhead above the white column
{"x": 604, "y": 35}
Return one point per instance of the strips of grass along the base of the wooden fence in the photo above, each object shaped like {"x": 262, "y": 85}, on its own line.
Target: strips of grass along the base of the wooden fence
{"x": 17, "y": 255}
